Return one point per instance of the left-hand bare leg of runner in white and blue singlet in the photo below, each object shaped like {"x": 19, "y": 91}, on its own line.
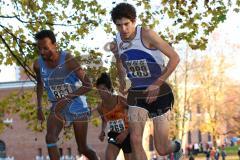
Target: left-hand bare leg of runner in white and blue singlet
{"x": 137, "y": 119}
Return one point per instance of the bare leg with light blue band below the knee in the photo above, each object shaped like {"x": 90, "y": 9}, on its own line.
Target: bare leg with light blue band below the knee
{"x": 54, "y": 127}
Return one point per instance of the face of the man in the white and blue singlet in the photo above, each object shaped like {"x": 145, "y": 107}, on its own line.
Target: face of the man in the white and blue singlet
{"x": 126, "y": 28}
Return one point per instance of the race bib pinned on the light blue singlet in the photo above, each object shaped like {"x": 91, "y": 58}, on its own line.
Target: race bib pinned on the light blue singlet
{"x": 61, "y": 91}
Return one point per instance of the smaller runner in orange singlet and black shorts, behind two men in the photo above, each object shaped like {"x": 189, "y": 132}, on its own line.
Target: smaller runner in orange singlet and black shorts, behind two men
{"x": 113, "y": 111}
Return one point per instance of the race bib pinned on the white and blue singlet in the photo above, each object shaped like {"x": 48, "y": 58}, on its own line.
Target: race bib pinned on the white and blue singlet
{"x": 138, "y": 68}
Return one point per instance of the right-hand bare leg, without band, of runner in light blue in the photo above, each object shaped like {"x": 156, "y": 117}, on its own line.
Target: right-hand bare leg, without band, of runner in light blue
{"x": 80, "y": 129}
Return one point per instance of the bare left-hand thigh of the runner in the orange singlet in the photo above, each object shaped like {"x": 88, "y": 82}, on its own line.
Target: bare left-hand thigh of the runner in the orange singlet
{"x": 111, "y": 152}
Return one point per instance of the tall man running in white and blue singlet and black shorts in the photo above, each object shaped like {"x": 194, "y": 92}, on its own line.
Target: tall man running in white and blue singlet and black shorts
{"x": 139, "y": 54}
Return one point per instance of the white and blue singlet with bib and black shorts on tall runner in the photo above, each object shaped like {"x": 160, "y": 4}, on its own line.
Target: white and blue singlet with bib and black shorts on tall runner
{"x": 143, "y": 67}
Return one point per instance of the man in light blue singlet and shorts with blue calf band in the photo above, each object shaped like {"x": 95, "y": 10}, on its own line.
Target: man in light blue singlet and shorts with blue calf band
{"x": 58, "y": 72}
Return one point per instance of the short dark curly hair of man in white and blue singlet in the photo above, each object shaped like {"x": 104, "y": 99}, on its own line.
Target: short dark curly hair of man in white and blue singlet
{"x": 123, "y": 10}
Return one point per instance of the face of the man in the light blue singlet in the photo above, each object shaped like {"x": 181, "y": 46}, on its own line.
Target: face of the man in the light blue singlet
{"x": 46, "y": 48}
